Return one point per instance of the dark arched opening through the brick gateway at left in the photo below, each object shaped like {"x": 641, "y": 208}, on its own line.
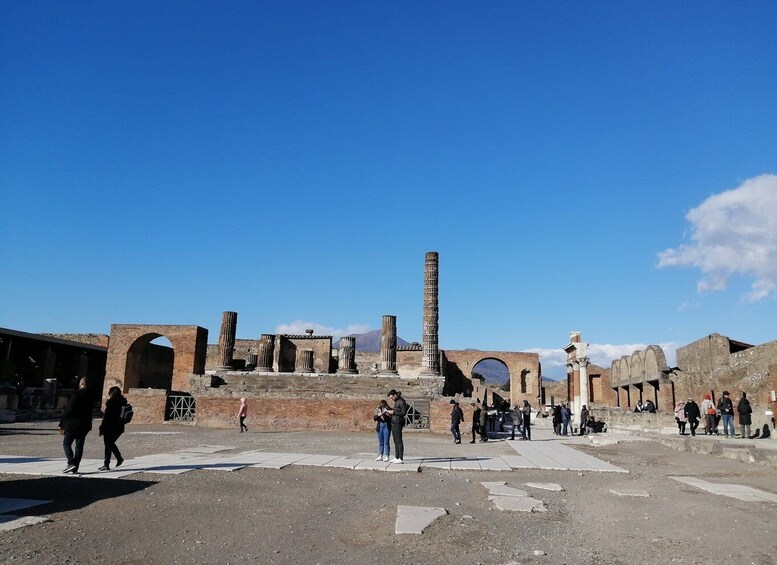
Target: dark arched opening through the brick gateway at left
{"x": 150, "y": 361}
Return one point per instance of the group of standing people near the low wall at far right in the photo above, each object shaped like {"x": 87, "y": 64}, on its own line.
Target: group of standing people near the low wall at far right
{"x": 691, "y": 414}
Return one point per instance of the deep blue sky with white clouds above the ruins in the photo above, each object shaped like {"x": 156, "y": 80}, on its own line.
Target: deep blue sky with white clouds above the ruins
{"x": 602, "y": 167}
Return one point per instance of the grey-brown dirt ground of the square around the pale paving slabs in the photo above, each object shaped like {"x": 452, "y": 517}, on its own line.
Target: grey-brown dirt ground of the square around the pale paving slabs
{"x": 325, "y": 515}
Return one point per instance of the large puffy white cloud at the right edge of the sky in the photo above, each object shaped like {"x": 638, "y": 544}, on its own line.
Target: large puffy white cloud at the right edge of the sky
{"x": 734, "y": 232}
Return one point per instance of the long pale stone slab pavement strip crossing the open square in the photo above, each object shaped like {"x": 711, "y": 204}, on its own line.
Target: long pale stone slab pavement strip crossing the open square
{"x": 545, "y": 452}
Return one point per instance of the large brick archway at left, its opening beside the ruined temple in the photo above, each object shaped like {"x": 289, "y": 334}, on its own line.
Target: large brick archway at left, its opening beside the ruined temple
{"x": 189, "y": 345}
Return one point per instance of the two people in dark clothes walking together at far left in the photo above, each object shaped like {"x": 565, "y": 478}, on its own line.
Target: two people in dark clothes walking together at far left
{"x": 76, "y": 423}
